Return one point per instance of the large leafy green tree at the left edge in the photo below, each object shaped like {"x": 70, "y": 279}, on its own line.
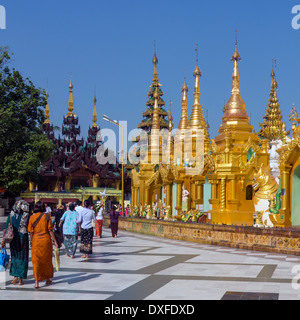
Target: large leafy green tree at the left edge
{"x": 23, "y": 146}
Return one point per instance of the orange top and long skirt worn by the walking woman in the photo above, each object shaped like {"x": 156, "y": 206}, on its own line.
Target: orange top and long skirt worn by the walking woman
{"x": 41, "y": 248}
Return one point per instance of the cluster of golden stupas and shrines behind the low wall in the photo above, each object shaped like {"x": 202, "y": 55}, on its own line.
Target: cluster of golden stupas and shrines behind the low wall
{"x": 235, "y": 184}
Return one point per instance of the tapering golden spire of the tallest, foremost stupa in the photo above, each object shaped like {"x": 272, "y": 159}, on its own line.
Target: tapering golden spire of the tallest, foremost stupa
{"x": 235, "y": 108}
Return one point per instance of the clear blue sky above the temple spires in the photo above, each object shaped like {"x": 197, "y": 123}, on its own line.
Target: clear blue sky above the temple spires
{"x": 109, "y": 44}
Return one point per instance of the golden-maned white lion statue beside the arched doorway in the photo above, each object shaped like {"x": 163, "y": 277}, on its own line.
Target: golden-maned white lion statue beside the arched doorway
{"x": 267, "y": 201}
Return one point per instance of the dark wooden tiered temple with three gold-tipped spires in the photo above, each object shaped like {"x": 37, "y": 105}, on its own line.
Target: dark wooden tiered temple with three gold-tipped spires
{"x": 74, "y": 164}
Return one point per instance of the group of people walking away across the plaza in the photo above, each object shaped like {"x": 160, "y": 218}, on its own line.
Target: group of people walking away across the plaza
{"x": 66, "y": 227}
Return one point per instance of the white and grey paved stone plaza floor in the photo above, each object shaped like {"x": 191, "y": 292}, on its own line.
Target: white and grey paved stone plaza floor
{"x": 139, "y": 267}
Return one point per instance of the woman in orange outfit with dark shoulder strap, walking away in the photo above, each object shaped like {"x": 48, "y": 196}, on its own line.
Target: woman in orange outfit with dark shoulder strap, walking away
{"x": 40, "y": 227}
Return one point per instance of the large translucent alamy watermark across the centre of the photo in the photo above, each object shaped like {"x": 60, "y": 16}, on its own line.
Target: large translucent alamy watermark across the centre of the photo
{"x": 183, "y": 148}
